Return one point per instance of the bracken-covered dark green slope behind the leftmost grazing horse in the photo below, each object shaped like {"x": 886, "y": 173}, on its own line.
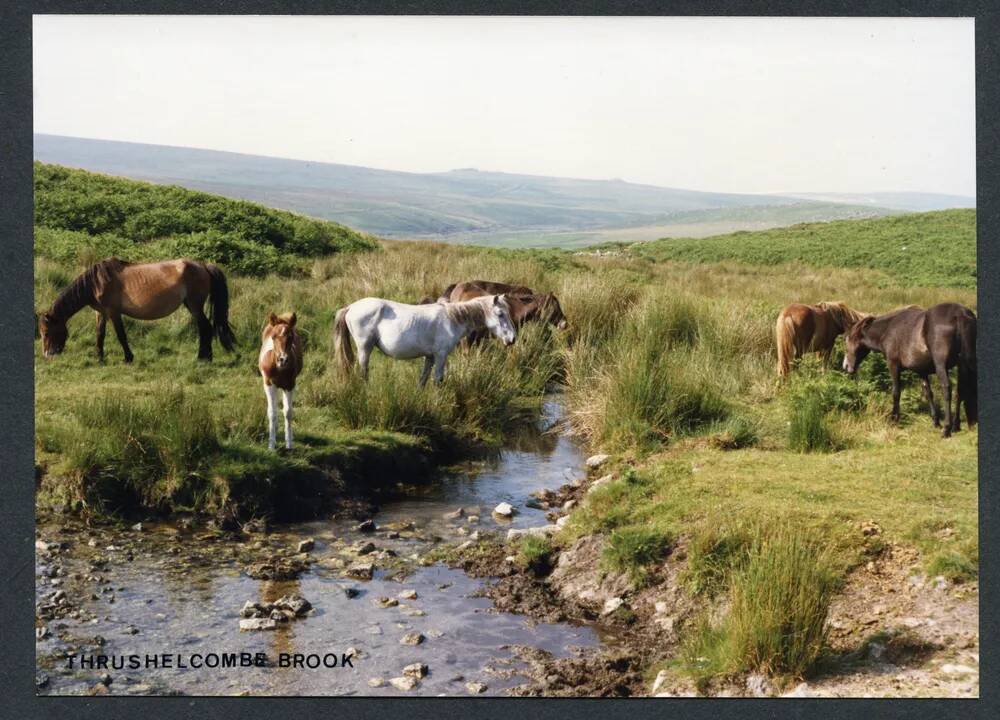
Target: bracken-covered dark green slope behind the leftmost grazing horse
{"x": 82, "y": 217}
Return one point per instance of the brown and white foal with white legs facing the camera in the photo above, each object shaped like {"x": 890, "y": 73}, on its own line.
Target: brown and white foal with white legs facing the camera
{"x": 280, "y": 362}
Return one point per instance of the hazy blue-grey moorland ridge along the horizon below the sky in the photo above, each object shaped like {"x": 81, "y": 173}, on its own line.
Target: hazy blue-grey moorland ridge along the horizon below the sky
{"x": 464, "y": 205}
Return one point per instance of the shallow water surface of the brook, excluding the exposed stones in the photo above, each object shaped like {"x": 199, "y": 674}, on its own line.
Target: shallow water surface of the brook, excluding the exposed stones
{"x": 193, "y": 606}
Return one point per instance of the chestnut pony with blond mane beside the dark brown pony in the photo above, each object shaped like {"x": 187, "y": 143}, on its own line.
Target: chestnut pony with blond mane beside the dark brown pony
{"x": 811, "y": 328}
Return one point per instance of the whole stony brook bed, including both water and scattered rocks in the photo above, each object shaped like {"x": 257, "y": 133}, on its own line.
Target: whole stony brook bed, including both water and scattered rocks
{"x": 351, "y": 605}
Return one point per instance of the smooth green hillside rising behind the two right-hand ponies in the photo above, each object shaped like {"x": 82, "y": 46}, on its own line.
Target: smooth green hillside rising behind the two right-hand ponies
{"x": 933, "y": 249}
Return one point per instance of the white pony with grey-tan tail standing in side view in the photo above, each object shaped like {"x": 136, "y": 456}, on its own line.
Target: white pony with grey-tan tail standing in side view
{"x": 406, "y": 332}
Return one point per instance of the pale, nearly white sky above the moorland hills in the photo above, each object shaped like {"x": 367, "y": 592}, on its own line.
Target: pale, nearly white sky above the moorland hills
{"x": 716, "y": 104}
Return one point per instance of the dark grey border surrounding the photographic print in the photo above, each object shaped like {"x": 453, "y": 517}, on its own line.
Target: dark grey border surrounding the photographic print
{"x": 17, "y": 355}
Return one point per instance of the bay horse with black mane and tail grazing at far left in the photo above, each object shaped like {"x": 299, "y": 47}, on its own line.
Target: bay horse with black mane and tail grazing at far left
{"x": 146, "y": 291}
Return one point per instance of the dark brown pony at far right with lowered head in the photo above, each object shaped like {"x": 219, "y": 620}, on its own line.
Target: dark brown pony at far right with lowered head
{"x": 924, "y": 341}
